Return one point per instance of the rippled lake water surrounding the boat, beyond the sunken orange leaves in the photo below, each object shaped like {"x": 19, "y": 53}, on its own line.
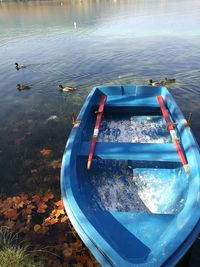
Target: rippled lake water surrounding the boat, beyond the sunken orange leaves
{"x": 83, "y": 44}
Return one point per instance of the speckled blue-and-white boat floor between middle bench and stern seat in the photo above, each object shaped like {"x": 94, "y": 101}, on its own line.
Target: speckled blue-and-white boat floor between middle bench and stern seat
{"x": 137, "y": 129}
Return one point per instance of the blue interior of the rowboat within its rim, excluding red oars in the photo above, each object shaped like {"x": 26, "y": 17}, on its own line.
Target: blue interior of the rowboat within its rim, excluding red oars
{"x": 137, "y": 184}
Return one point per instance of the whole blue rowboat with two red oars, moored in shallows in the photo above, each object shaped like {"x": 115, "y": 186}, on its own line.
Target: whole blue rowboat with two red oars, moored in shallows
{"x": 137, "y": 201}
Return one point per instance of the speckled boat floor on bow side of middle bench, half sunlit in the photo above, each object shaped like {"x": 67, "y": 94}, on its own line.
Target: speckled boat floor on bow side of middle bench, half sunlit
{"x": 118, "y": 187}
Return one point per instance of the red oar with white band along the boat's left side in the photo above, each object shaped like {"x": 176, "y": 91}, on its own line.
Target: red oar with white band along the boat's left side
{"x": 96, "y": 131}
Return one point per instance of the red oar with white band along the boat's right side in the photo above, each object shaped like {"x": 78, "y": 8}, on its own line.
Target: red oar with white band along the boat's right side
{"x": 173, "y": 133}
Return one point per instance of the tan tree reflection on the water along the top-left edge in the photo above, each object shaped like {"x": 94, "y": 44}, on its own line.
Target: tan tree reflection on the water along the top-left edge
{"x": 53, "y": 12}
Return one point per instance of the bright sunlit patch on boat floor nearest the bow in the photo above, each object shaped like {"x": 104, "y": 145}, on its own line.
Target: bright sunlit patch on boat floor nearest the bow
{"x": 159, "y": 189}
